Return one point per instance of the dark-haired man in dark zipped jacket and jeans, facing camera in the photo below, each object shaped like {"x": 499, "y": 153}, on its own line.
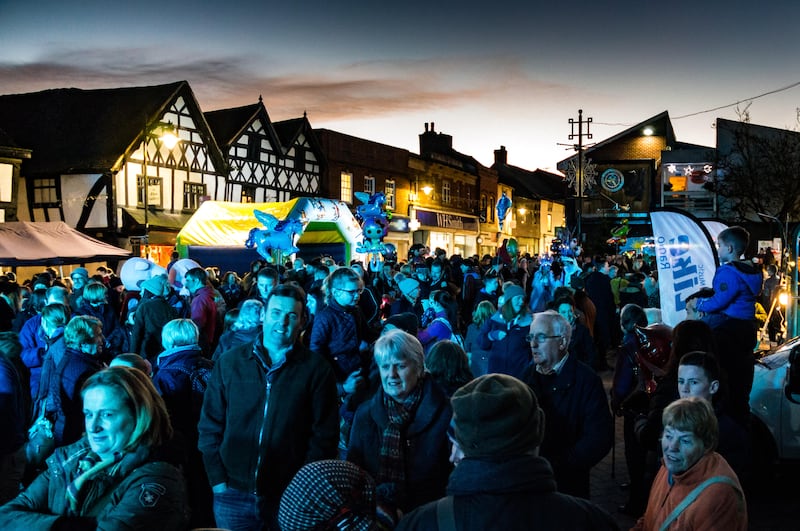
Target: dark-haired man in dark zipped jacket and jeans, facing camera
{"x": 270, "y": 408}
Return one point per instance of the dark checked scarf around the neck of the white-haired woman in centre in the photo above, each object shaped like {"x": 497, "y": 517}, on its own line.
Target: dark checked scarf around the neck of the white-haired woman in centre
{"x": 392, "y": 467}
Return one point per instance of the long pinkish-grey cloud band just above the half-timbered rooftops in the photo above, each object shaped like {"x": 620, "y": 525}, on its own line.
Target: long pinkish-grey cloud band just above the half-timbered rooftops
{"x": 352, "y": 91}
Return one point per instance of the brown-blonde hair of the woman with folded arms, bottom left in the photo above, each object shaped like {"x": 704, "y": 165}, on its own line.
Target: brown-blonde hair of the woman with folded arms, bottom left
{"x": 152, "y": 427}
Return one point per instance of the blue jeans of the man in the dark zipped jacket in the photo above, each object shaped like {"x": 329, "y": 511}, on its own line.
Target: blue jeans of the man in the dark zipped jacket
{"x": 243, "y": 511}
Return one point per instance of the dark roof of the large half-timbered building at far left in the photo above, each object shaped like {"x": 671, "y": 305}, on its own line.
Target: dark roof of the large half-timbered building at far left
{"x": 73, "y": 130}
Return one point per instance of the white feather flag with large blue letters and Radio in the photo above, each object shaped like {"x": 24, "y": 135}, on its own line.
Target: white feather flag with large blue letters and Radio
{"x": 686, "y": 259}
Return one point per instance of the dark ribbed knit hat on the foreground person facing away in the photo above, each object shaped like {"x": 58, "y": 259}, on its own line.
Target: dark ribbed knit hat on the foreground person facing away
{"x": 497, "y": 415}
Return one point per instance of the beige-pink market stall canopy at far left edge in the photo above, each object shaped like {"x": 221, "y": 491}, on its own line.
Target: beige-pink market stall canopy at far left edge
{"x": 27, "y": 243}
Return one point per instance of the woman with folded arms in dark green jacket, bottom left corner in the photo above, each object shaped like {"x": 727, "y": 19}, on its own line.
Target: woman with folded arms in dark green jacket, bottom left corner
{"x": 113, "y": 477}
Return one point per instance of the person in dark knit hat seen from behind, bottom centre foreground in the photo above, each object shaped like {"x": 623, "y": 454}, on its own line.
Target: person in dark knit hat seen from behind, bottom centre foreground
{"x": 500, "y": 482}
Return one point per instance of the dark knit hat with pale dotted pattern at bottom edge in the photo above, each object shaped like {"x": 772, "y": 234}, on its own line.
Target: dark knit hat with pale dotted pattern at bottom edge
{"x": 329, "y": 494}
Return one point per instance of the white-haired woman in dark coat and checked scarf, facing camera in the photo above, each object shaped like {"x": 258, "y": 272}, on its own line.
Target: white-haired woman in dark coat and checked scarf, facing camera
{"x": 400, "y": 435}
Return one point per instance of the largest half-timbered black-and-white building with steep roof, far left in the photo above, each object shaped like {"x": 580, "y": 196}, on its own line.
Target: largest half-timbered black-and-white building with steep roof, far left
{"x": 88, "y": 168}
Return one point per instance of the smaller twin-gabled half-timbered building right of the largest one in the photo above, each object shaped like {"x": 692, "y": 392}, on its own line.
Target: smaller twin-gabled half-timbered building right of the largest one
{"x": 267, "y": 162}
